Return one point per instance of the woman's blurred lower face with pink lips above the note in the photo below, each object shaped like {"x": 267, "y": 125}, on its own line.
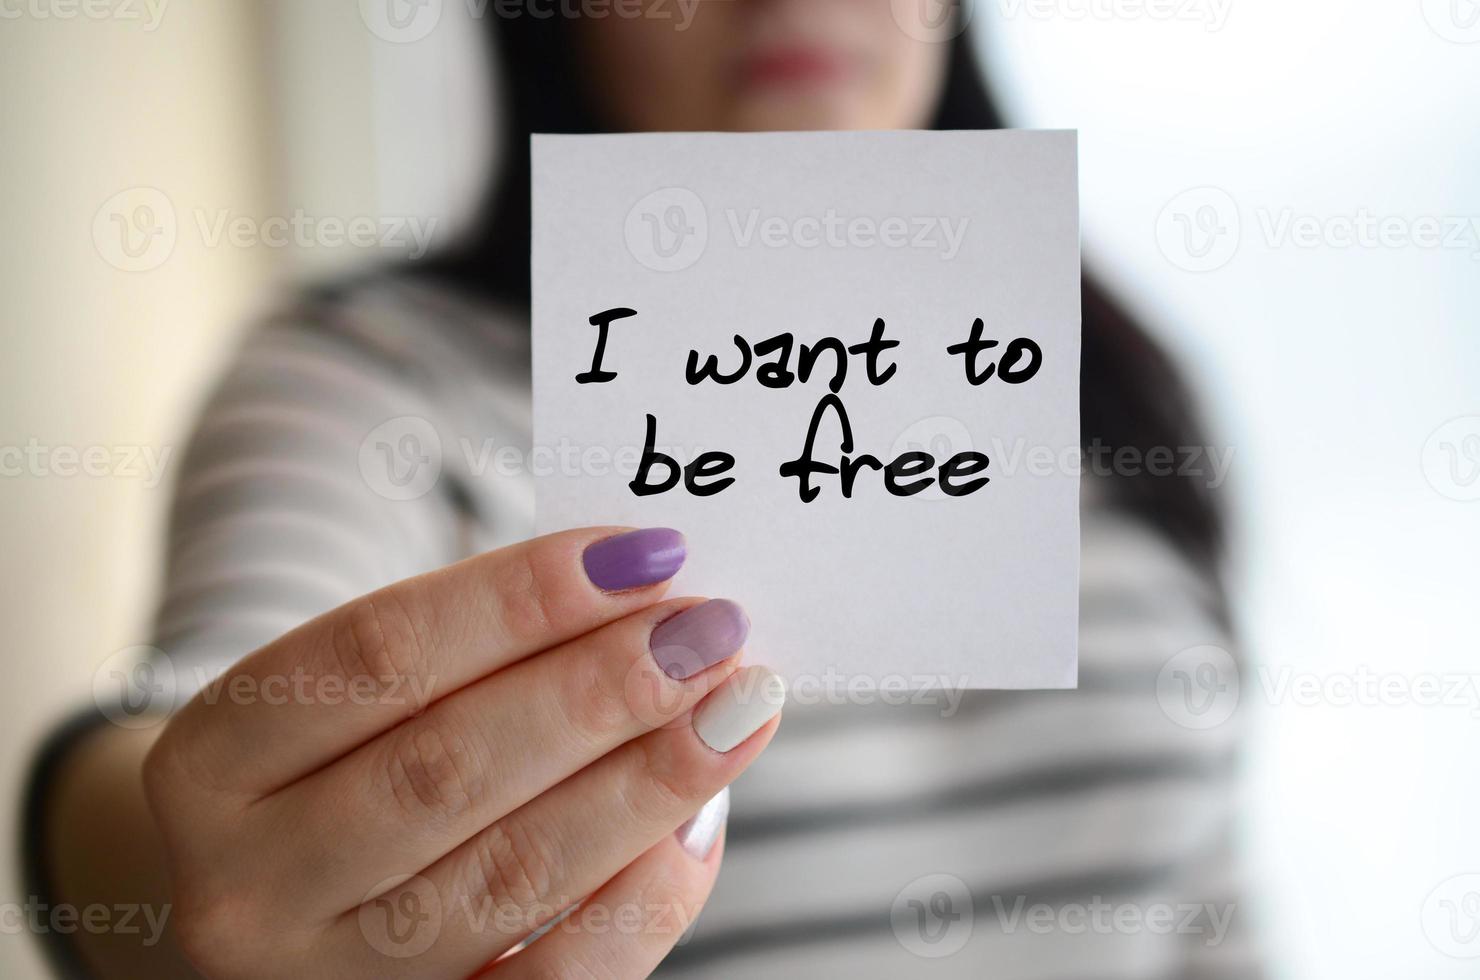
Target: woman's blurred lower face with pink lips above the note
{"x": 761, "y": 66}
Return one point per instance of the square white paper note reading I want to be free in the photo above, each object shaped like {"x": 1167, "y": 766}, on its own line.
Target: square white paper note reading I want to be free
{"x": 710, "y": 236}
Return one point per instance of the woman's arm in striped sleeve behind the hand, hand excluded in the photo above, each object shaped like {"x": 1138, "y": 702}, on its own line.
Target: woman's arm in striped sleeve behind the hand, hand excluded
{"x": 275, "y": 523}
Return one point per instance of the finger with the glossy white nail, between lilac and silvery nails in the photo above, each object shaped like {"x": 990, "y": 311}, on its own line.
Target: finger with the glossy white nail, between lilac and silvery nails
{"x": 569, "y": 842}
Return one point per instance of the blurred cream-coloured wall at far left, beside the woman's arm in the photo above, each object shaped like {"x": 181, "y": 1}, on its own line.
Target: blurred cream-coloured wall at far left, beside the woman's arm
{"x": 97, "y": 356}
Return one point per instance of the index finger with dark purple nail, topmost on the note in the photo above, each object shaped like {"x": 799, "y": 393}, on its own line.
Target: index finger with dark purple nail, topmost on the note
{"x": 360, "y": 670}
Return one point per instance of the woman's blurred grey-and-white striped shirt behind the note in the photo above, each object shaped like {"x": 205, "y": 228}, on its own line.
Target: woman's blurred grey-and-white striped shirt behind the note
{"x": 1016, "y": 836}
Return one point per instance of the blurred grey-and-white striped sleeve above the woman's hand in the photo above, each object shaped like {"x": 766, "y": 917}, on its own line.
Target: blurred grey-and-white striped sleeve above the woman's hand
{"x": 313, "y": 477}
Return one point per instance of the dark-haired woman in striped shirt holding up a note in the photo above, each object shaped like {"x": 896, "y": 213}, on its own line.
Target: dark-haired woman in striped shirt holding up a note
{"x": 497, "y": 769}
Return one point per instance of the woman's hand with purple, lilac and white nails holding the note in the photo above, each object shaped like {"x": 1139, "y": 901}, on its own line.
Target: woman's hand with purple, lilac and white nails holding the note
{"x": 411, "y": 785}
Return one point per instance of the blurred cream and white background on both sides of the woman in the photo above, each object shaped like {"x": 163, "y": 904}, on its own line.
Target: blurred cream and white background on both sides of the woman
{"x": 1234, "y": 153}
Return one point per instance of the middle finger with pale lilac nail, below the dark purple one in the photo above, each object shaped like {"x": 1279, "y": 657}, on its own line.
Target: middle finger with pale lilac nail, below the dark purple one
{"x": 424, "y": 788}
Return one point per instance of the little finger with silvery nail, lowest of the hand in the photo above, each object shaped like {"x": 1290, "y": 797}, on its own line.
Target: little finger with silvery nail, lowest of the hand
{"x": 631, "y": 924}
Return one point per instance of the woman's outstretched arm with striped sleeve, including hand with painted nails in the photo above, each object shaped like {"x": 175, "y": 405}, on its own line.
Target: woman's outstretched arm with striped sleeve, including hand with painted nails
{"x": 556, "y": 762}
